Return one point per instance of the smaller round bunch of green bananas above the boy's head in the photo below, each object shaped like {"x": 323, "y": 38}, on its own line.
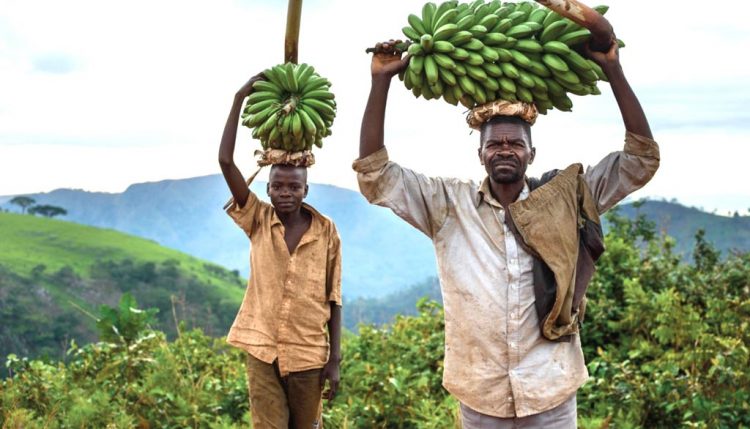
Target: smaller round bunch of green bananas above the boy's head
{"x": 292, "y": 109}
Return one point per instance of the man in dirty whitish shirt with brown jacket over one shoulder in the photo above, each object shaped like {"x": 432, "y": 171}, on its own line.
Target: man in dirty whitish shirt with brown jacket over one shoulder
{"x": 514, "y": 254}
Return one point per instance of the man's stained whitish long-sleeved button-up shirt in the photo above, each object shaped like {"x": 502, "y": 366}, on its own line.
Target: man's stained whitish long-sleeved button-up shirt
{"x": 496, "y": 361}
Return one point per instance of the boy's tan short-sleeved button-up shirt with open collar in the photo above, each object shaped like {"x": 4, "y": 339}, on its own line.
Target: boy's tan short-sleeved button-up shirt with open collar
{"x": 287, "y": 302}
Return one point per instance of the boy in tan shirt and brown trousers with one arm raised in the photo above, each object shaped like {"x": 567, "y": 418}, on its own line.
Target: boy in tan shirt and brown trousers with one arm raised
{"x": 294, "y": 291}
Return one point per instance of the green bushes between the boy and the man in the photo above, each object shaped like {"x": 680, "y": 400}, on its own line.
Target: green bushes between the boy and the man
{"x": 392, "y": 376}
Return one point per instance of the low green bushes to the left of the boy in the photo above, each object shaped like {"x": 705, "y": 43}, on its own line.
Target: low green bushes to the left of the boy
{"x": 195, "y": 381}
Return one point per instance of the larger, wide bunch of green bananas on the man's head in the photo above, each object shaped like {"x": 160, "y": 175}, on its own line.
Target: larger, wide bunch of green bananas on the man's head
{"x": 473, "y": 53}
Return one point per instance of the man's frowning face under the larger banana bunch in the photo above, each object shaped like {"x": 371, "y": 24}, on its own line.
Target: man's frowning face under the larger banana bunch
{"x": 506, "y": 151}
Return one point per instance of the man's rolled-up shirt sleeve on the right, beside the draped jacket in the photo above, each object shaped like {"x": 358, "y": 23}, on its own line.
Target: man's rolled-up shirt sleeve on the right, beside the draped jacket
{"x": 622, "y": 173}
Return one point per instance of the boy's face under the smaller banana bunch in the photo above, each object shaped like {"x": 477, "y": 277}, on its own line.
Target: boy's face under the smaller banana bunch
{"x": 287, "y": 187}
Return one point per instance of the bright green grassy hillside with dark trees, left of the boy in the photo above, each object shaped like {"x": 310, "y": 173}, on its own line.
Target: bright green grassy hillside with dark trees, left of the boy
{"x": 54, "y": 272}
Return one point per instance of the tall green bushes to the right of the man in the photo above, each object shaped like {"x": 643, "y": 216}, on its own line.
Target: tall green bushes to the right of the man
{"x": 667, "y": 343}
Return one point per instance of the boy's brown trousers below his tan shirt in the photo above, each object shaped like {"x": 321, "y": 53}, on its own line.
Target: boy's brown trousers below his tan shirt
{"x": 291, "y": 402}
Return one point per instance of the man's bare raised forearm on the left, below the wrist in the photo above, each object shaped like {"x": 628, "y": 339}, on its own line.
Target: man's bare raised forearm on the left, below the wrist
{"x": 373, "y": 121}
